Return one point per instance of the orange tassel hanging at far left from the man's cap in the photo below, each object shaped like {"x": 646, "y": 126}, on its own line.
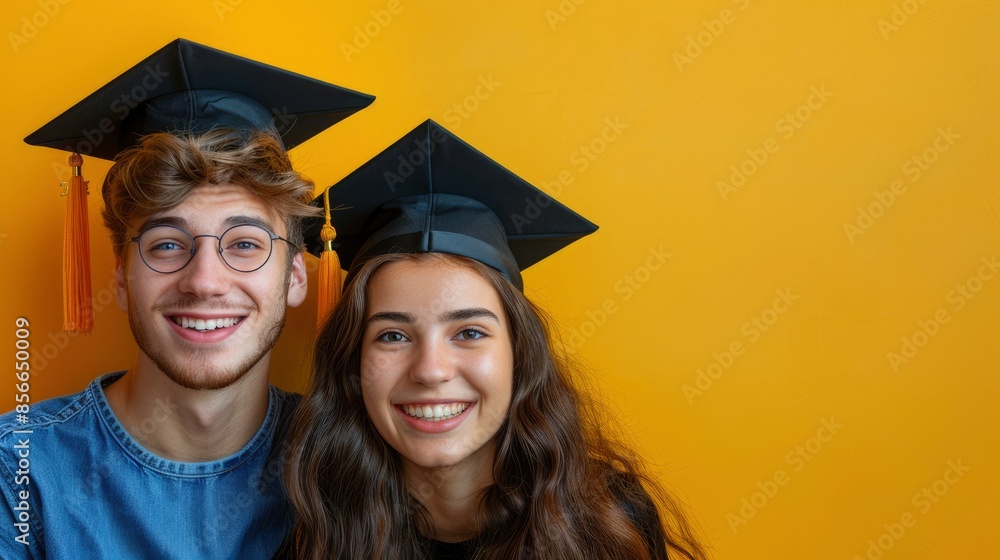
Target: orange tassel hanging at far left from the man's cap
{"x": 78, "y": 312}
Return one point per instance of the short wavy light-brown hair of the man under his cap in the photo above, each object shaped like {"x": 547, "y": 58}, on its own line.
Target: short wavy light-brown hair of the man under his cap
{"x": 163, "y": 170}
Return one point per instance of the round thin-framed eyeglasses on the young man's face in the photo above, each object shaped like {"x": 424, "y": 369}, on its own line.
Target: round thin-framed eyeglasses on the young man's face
{"x": 244, "y": 248}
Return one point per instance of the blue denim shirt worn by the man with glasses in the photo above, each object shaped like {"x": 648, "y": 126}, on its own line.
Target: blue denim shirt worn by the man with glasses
{"x": 79, "y": 486}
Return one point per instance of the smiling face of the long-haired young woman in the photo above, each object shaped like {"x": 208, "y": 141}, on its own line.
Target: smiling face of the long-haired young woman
{"x": 436, "y": 363}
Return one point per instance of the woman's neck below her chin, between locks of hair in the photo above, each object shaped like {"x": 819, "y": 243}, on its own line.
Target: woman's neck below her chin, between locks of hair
{"x": 451, "y": 496}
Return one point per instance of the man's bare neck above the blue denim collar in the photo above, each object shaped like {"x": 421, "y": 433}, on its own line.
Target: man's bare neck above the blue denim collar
{"x": 181, "y": 424}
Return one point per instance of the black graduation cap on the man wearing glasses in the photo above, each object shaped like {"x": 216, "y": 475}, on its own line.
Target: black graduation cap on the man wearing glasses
{"x": 187, "y": 87}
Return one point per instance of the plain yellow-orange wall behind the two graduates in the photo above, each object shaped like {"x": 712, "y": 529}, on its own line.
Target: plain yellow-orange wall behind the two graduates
{"x": 666, "y": 97}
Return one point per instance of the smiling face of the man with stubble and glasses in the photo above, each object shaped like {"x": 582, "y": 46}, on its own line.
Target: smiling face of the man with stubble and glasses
{"x": 207, "y": 325}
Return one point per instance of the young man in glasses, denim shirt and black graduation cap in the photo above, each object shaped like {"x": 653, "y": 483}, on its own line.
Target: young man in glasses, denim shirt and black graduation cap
{"x": 181, "y": 455}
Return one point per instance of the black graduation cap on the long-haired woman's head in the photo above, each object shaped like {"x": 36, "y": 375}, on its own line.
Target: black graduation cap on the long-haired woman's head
{"x": 432, "y": 192}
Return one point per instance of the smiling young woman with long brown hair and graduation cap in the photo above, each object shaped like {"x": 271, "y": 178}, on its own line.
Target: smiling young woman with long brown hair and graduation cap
{"x": 440, "y": 423}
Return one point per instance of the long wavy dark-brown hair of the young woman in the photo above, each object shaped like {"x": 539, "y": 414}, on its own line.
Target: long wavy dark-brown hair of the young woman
{"x": 562, "y": 487}
